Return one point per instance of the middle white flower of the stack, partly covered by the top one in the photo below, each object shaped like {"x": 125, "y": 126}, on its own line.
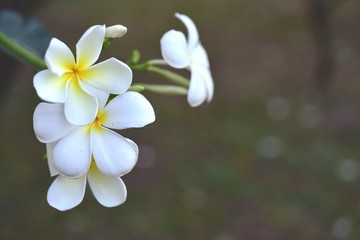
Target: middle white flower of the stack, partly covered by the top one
{"x": 75, "y": 145}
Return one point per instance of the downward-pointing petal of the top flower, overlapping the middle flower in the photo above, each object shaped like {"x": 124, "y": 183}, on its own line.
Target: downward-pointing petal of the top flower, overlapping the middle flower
{"x": 80, "y": 107}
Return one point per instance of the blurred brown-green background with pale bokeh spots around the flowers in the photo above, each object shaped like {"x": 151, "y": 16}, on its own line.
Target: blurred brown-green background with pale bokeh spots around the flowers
{"x": 274, "y": 156}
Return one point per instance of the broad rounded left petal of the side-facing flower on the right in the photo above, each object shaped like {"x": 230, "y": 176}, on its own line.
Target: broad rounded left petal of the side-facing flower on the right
{"x": 174, "y": 49}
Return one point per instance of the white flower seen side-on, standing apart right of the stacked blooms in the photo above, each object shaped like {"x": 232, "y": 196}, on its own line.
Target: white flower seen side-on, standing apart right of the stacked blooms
{"x": 181, "y": 53}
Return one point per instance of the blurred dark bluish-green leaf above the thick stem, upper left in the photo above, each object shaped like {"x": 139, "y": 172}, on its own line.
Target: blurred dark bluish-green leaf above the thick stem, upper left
{"x": 28, "y": 32}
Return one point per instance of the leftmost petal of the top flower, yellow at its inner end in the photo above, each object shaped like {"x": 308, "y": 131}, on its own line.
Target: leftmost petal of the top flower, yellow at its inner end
{"x": 50, "y": 87}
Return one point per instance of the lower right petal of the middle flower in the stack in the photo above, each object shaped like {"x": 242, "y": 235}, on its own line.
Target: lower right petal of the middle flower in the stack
{"x": 114, "y": 155}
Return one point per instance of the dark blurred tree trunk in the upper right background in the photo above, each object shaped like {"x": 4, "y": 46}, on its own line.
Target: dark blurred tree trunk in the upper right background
{"x": 320, "y": 12}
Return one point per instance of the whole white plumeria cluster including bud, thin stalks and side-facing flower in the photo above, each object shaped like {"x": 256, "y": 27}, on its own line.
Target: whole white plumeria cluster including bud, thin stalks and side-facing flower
{"x": 85, "y": 102}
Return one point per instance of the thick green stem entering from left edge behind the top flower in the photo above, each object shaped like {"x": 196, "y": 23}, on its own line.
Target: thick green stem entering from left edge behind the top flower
{"x": 22, "y": 52}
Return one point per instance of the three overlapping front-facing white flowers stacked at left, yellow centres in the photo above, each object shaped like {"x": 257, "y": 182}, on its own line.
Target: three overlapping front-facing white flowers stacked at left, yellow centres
{"x": 75, "y": 121}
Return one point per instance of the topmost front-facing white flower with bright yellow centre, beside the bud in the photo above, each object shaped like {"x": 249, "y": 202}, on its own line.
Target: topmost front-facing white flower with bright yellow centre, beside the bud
{"x": 64, "y": 80}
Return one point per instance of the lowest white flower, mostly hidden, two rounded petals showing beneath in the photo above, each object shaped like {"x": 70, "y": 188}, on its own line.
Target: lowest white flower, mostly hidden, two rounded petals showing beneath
{"x": 66, "y": 193}
